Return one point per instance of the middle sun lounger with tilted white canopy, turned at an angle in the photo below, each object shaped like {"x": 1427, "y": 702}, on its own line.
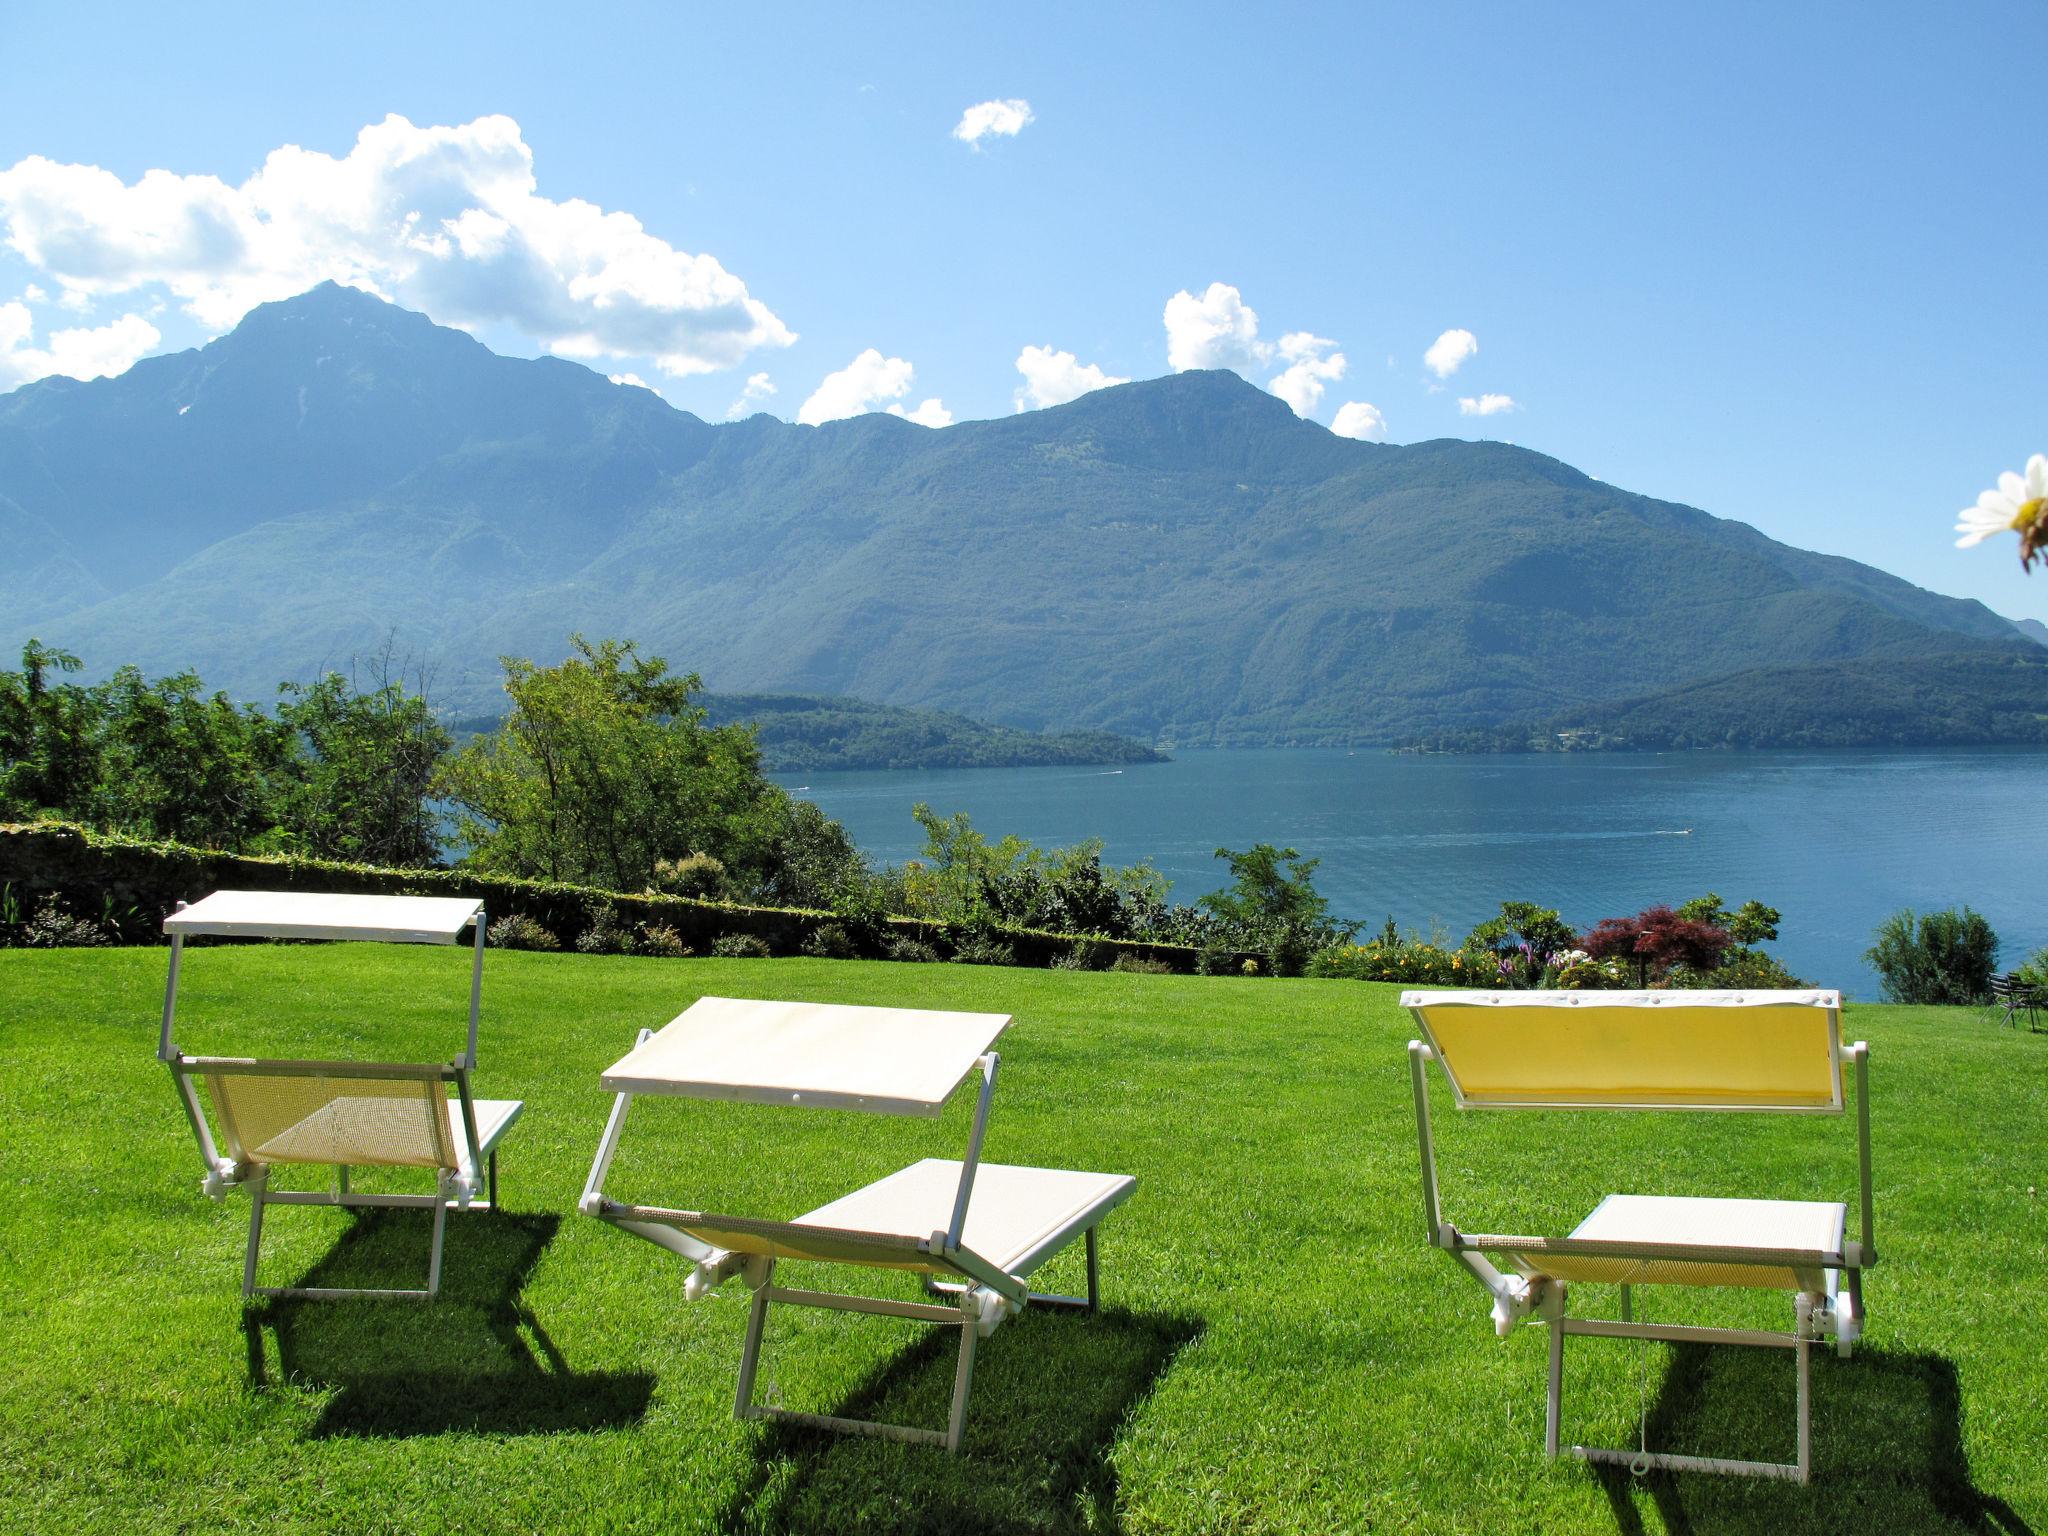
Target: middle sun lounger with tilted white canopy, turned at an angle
{"x": 976, "y": 1232}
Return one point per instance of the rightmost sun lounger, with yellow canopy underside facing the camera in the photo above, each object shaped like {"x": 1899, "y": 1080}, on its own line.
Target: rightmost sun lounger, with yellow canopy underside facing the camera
{"x": 1766, "y": 1052}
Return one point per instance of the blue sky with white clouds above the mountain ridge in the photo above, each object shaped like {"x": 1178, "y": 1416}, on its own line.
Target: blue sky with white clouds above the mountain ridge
{"x": 1785, "y": 263}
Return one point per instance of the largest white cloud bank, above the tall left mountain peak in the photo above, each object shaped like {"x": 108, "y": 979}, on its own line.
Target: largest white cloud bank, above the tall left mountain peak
{"x": 445, "y": 220}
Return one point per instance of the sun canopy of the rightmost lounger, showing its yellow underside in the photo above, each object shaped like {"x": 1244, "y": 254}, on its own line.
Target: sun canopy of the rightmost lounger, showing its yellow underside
{"x": 1662, "y": 1050}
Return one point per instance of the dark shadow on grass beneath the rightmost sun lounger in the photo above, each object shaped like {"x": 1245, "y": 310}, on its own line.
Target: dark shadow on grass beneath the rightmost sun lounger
{"x": 1887, "y": 1447}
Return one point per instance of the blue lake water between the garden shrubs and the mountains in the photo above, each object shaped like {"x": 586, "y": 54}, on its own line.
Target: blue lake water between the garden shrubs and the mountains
{"x": 1838, "y": 841}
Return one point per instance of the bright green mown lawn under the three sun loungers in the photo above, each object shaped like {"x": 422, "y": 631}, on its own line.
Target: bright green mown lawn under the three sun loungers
{"x": 1281, "y": 1351}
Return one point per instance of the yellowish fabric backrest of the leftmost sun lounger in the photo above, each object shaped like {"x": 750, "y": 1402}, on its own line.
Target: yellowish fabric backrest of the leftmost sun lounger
{"x": 333, "y": 1117}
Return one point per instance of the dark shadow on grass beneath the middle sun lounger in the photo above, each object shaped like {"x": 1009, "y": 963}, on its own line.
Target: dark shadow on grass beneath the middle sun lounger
{"x": 1052, "y": 1392}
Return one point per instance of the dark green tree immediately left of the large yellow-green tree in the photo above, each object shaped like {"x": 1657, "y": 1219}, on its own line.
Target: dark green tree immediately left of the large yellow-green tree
{"x": 361, "y": 785}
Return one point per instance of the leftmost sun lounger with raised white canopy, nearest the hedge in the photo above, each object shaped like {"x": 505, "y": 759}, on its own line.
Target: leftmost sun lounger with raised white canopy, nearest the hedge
{"x": 337, "y": 1113}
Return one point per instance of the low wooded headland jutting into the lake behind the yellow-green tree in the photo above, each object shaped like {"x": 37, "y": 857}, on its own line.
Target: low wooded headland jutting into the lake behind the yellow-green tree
{"x": 806, "y": 734}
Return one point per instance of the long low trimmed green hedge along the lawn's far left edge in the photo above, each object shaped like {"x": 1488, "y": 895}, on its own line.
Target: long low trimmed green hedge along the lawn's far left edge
{"x": 134, "y": 886}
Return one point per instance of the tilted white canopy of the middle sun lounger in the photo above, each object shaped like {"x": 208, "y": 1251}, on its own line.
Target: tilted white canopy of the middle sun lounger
{"x": 824, "y": 1056}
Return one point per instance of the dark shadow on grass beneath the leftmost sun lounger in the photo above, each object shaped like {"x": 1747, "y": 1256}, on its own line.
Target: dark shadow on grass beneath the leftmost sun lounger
{"x": 472, "y": 1361}
